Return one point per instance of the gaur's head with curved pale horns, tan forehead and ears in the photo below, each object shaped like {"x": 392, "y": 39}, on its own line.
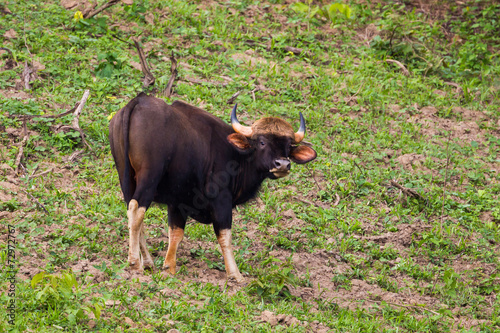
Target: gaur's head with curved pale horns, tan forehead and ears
{"x": 273, "y": 143}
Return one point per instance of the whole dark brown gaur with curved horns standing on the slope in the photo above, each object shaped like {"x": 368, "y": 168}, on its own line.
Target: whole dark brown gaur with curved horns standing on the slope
{"x": 197, "y": 165}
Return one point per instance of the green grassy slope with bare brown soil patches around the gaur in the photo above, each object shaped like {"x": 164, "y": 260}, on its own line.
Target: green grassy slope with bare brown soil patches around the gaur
{"x": 395, "y": 227}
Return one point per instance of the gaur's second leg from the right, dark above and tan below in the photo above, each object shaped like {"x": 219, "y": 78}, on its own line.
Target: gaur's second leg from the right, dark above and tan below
{"x": 176, "y": 224}
